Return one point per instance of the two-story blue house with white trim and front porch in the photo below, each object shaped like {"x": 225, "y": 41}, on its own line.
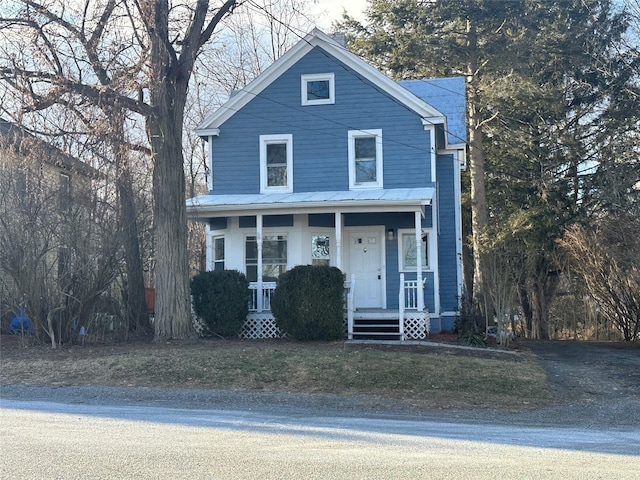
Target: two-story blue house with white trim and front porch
{"x": 324, "y": 160}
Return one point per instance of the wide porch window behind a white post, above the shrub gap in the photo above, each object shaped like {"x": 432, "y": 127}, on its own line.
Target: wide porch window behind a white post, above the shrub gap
{"x": 274, "y": 257}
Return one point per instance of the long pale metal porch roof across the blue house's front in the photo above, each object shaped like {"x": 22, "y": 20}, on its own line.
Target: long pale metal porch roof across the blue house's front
{"x": 375, "y": 200}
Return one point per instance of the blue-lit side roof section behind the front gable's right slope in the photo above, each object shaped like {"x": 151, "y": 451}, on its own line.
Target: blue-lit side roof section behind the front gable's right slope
{"x": 448, "y": 96}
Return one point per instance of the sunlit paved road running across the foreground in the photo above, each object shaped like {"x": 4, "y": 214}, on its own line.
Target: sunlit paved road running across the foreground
{"x": 68, "y": 441}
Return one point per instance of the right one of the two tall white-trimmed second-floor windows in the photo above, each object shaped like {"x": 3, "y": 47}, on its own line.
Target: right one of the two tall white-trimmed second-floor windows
{"x": 365, "y": 159}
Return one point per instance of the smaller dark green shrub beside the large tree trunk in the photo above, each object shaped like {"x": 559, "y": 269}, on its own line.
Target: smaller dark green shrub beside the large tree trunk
{"x": 221, "y": 300}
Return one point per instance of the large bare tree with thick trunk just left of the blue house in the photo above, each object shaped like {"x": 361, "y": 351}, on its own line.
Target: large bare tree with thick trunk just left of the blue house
{"x": 134, "y": 55}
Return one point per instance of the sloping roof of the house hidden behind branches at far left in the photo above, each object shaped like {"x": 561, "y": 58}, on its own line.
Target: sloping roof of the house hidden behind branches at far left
{"x": 17, "y": 137}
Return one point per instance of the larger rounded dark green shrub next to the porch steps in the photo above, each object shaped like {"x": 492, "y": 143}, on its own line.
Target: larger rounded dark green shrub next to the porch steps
{"x": 308, "y": 303}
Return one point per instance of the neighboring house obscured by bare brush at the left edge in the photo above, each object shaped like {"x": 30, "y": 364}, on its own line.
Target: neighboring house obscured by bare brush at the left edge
{"x": 40, "y": 187}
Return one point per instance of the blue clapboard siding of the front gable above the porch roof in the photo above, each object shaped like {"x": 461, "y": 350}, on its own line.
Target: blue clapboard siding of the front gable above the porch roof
{"x": 320, "y": 133}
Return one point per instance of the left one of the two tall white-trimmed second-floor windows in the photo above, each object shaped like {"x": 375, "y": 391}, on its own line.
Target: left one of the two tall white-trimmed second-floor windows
{"x": 276, "y": 163}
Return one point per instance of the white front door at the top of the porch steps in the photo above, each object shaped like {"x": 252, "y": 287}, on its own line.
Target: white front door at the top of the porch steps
{"x": 365, "y": 262}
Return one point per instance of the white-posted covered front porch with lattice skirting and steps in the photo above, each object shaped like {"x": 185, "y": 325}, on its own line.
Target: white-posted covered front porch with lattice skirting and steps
{"x": 362, "y": 238}
